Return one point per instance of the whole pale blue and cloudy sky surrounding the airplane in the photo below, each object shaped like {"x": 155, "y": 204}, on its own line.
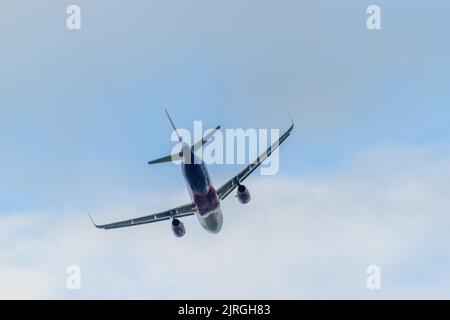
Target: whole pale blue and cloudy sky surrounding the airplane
{"x": 363, "y": 179}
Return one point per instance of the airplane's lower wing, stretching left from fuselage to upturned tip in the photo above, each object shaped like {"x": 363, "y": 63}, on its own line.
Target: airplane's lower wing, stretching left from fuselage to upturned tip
{"x": 178, "y": 212}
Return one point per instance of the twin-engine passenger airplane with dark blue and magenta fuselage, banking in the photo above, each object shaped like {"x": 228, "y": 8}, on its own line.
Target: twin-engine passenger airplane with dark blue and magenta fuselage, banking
{"x": 205, "y": 198}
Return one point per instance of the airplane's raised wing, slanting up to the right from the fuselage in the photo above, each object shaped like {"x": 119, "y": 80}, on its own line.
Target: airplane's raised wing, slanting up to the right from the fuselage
{"x": 226, "y": 189}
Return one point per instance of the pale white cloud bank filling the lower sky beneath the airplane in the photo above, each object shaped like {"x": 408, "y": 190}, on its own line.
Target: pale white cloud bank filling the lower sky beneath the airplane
{"x": 296, "y": 239}
